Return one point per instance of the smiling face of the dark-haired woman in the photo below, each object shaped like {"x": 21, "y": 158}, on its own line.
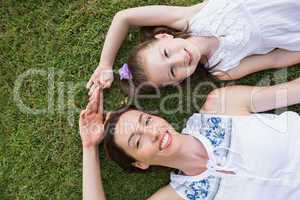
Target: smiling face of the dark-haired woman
{"x": 147, "y": 138}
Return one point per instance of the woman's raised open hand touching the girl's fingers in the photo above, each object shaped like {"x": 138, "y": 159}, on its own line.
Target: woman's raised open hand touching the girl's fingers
{"x": 91, "y": 121}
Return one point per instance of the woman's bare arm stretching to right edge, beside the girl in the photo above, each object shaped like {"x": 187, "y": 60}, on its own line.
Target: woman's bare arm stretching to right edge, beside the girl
{"x": 242, "y": 100}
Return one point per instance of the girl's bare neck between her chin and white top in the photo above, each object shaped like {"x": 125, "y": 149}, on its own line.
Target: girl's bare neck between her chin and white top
{"x": 206, "y": 46}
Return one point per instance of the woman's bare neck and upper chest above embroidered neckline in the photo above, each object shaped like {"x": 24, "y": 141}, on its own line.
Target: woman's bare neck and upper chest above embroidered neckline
{"x": 191, "y": 157}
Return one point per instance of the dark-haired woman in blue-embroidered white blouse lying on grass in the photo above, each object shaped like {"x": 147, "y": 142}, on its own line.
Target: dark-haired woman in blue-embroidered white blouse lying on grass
{"x": 225, "y": 152}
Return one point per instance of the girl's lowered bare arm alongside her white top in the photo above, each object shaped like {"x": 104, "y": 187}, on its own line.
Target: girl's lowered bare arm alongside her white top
{"x": 277, "y": 58}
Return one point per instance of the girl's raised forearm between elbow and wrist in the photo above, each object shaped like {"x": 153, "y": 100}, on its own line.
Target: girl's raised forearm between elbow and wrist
{"x": 115, "y": 36}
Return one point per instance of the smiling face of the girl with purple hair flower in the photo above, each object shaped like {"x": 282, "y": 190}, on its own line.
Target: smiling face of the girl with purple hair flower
{"x": 170, "y": 60}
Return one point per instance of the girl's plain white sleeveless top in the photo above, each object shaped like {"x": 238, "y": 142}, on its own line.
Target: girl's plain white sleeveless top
{"x": 247, "y": 27}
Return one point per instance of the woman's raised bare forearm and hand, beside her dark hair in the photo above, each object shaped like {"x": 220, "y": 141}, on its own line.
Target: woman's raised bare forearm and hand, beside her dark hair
{"x": 91, "y": 133}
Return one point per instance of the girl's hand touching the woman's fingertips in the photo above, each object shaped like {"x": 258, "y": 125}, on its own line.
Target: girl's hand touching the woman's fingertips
{"x": 102, "y": 76}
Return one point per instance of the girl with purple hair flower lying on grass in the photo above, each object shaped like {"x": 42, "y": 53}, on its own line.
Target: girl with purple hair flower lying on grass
{"x": 237, "y": 37}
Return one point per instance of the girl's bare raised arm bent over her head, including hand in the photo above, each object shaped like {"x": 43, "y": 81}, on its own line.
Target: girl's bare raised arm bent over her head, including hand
{"x": 170, "y": 16}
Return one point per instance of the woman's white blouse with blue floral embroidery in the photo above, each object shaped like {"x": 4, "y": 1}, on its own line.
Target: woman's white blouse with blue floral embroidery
{"x": 261, "y": 149}
